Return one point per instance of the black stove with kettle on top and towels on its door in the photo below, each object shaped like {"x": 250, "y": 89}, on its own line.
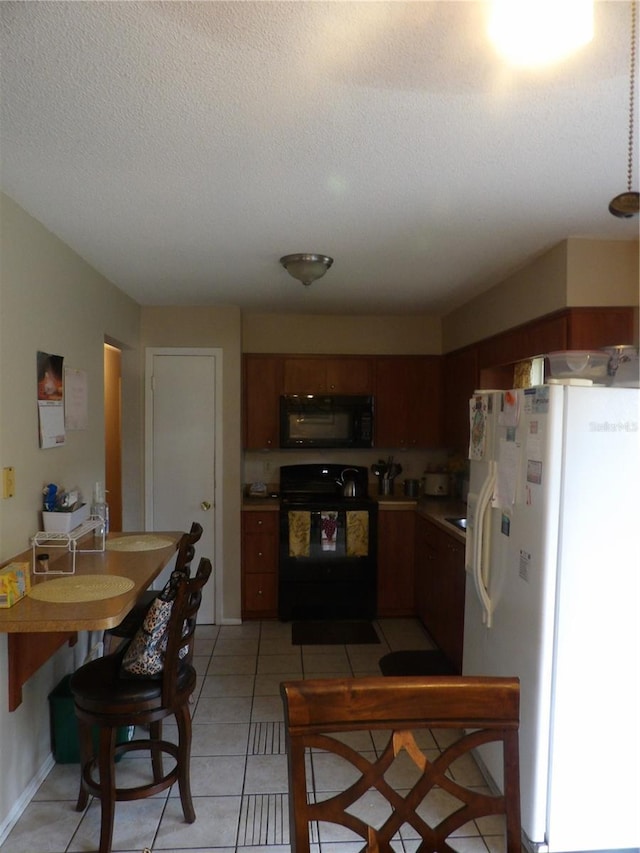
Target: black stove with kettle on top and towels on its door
{"x": 328, "y": 543}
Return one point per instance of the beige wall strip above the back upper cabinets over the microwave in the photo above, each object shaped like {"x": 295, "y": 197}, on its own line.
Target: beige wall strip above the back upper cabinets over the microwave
{"x": 357, "y": 335}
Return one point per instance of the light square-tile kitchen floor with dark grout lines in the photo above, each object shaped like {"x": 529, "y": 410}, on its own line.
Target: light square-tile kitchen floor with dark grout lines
{"x": 238, "y": 768}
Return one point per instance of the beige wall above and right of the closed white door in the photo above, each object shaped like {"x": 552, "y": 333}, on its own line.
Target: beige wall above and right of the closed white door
{"x": 213, "y": 327}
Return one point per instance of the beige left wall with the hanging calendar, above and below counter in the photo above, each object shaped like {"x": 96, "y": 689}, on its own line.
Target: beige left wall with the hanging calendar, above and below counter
{"x": 51, "y": 300}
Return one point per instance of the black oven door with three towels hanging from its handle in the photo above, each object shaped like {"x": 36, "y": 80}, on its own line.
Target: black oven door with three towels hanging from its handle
{"x": 328, "y": 561}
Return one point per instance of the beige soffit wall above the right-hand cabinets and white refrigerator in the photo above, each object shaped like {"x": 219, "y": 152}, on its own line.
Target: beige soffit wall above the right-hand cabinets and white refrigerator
{"x": 575, "y": 272}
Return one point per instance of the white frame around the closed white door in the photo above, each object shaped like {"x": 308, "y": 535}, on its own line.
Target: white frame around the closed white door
{"x": 216, "y": 354}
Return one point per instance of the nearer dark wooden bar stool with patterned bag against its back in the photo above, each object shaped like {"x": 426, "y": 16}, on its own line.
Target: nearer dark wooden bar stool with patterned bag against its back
{"x": 107, "y": 697}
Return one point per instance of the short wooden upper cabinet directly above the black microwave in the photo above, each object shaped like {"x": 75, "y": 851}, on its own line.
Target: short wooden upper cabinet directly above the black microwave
{"x": 327, "y": 374}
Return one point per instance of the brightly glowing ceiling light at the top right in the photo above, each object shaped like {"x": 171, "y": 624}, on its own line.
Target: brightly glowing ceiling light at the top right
{"x": 531, "y": 33}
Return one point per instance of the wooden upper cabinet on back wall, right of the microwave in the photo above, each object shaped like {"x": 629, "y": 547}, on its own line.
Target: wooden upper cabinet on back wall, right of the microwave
{"x": 408, "y": 404}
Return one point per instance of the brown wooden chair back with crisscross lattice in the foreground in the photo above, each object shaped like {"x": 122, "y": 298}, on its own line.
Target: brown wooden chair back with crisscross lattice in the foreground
{"x": 463, "y": 713}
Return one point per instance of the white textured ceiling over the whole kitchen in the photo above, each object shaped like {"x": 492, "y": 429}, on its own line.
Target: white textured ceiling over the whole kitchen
{"x": 181, "y": 148}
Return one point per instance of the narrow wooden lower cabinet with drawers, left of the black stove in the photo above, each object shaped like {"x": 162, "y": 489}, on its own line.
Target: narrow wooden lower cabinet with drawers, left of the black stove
{"x": 259, "y": 564}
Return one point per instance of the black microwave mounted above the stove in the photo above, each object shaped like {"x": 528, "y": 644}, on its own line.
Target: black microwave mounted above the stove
{"x": 317, "y": 420}
